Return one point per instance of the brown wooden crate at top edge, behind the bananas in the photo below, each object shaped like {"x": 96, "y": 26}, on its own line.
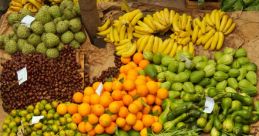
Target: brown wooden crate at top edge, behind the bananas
{"x": 212, "y": 4}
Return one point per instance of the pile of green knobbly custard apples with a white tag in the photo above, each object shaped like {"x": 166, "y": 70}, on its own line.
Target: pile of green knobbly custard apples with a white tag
{"x": 53, "y": 28}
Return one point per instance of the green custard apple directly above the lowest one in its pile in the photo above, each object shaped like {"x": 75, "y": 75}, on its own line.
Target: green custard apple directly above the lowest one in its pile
{"x": 51, "y": 40}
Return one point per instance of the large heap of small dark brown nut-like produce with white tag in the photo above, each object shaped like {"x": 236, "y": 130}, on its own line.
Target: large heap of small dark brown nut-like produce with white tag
{"x": 51, "y": 79}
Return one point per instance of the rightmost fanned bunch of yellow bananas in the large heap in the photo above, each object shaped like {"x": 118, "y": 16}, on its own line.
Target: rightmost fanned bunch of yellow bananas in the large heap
{"x": 211, "y": 30}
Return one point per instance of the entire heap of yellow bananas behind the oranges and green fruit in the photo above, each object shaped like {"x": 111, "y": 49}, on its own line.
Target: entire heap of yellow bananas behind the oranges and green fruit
{"x": 187, "y": 32}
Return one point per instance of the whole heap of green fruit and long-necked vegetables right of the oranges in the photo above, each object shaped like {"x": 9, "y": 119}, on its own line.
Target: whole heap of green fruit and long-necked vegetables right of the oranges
{"x": 229, "y": 79}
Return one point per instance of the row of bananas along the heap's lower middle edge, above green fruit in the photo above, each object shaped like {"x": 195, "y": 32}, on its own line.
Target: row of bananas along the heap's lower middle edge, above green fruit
{"x": 157, "y": 45}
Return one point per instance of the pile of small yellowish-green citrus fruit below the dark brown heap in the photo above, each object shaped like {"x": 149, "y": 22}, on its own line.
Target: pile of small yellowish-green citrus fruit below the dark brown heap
{"x": 19, "y": 122}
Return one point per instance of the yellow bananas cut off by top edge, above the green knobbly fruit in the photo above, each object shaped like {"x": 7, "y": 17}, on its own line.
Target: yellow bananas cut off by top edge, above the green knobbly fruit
{"x": 31, "y": 5}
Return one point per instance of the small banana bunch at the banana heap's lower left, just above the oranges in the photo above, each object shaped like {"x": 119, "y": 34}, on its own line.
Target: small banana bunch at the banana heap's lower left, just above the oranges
{"x": 125, "y": 48}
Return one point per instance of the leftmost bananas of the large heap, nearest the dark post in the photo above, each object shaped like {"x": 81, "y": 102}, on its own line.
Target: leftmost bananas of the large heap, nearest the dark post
{"x": 120, "y": 29}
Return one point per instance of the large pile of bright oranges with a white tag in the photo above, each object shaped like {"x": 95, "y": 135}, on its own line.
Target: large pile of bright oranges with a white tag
{"x": 130, "y": 101}
